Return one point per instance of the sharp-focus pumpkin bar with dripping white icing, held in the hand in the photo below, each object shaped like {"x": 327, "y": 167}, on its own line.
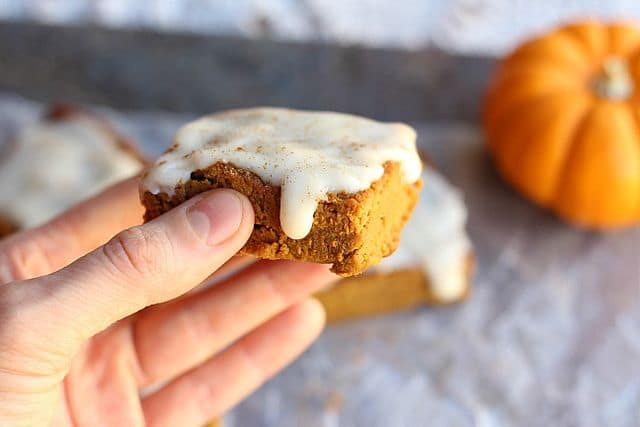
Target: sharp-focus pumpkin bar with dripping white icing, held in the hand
{"x": 326, "y": 187}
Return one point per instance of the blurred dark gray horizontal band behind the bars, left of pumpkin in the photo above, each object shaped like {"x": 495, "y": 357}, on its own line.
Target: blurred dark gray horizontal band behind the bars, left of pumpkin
{"x": 178, "y": 72}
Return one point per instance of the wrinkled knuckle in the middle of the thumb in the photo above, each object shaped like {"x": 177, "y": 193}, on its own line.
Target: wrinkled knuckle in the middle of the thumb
{"x": 138, "y": 252}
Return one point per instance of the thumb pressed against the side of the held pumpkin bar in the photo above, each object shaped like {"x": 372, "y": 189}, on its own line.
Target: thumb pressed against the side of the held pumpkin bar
{"x": 141, "y": 266}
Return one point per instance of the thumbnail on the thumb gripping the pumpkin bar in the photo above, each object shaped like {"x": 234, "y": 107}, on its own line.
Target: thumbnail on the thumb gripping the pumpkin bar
{"x": 216, "y": 217}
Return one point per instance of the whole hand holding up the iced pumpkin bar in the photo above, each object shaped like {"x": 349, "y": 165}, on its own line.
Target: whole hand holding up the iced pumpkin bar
{"x": 84, "y": 330}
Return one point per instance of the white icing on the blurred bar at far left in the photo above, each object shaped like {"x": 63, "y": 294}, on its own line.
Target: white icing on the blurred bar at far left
{"x": 54, "y": 164}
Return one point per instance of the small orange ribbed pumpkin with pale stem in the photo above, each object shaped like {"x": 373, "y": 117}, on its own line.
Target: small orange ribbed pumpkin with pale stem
{"x": 562, "y": 122}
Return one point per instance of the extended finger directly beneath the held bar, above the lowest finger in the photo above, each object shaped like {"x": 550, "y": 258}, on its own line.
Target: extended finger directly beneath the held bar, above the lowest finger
{"x": 174, "y": 337}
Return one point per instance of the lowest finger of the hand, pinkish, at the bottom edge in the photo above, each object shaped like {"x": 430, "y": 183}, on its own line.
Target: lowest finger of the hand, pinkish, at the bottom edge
{"x": 217, "y": 385}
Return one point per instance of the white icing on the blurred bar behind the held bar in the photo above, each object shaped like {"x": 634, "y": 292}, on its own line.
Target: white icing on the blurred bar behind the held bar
{"x": 435, "y": 239}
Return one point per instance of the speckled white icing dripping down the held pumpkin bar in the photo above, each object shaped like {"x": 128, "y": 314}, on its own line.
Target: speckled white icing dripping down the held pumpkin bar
{"x": 308, "y": 154}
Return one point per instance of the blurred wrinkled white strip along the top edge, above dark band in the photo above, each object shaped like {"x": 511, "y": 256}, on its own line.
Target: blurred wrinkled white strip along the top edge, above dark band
{"x": 472, "y": 26}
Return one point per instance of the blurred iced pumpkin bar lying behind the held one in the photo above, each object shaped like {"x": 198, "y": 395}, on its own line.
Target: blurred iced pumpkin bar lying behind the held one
{"x": 433, "y": 264}
